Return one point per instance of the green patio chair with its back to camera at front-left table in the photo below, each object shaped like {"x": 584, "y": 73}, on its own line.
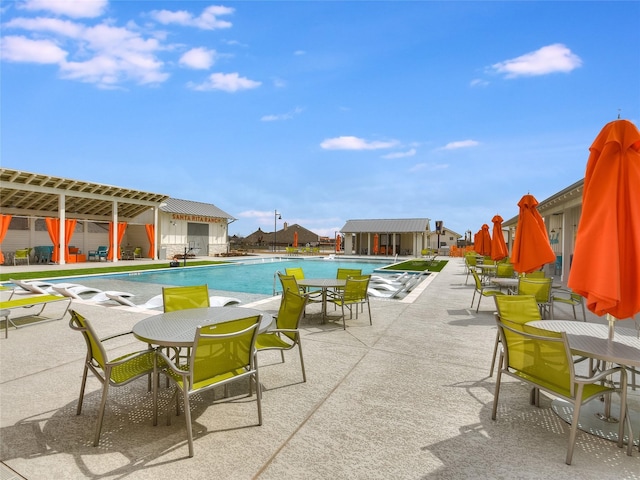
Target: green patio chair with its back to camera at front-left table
{"x": 222, "y": 353}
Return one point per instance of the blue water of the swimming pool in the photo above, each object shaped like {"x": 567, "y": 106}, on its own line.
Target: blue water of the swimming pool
{"x": 255, "y": 277}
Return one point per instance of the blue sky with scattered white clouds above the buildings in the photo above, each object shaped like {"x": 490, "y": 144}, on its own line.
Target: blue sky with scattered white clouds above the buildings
{"x": 326, "y": 111}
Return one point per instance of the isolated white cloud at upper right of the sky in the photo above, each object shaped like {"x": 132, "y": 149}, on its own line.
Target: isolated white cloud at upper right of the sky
{"x": 549, "y": 59}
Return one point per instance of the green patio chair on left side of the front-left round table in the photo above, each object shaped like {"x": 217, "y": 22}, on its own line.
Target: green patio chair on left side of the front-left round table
{"x": 111, "y": 373}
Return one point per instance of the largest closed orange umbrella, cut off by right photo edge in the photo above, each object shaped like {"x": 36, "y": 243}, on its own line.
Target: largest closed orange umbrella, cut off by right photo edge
{"x": 606, "y": 260}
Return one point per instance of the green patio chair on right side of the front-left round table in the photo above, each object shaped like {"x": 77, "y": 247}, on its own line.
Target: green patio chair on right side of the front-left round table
{"x": 286, "y": 335}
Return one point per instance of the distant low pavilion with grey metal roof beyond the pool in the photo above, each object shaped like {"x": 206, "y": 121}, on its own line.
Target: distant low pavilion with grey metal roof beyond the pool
{"x": 407, "y": 236}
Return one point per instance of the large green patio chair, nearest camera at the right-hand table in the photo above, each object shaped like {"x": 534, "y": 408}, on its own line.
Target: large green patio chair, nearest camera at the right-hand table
{"x": 543, "y": 360}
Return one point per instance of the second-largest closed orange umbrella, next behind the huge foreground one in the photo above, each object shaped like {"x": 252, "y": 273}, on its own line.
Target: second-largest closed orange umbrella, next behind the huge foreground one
{"x": 531, "y": 247}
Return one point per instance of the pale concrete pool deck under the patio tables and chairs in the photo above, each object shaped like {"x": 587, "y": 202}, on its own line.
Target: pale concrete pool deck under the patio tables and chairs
{"x": 407, "y": 398}
